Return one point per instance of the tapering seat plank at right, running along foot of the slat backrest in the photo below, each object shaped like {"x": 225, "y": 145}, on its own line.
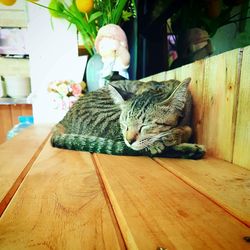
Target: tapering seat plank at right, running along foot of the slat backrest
{"x": 225, "y": 183}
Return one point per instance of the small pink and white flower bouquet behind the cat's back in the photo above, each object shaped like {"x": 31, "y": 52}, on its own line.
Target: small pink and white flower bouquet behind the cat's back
{"x": 65, "y": 93}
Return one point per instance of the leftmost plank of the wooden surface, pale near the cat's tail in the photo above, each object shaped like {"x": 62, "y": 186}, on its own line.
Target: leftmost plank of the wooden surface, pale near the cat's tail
{"x": 16, "y": 157}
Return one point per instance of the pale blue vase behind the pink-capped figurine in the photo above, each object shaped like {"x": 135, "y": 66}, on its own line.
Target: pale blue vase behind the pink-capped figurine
{"x": 94, "y": 72}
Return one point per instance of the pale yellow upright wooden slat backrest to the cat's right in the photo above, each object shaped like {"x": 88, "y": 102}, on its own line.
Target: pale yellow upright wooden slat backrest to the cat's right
{"x": 221, "y": 95}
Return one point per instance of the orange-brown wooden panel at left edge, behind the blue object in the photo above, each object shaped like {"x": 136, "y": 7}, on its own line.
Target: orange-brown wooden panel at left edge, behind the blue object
{"x": 9, "y": 117}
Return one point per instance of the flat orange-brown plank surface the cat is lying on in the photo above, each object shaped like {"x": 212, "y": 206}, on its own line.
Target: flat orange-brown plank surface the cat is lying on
{"x": 58, "y": 199}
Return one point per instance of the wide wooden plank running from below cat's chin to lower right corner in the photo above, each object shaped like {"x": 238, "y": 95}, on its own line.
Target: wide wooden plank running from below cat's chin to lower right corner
{"x": 154, "y": 208}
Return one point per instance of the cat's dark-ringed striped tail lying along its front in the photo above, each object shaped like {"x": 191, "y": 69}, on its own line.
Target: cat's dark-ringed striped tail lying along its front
{"x": 91, "y": 144}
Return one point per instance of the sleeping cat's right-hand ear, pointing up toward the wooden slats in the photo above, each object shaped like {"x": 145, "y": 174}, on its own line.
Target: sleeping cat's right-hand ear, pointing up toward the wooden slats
{"x": 177, "y": 100}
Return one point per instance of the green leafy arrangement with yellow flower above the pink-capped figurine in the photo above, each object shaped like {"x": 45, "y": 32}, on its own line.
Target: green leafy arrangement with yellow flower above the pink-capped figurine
{"x": 90, "y": 15}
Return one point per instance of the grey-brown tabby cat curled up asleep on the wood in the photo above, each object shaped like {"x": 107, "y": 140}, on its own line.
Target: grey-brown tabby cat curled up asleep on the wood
{"x": 131, "y": 118}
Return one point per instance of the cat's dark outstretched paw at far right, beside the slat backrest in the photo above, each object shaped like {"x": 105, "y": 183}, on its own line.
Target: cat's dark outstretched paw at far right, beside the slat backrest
{"x": 189, "y": 150}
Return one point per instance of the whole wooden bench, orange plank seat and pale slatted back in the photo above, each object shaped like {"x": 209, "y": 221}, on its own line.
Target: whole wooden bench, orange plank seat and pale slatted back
{"x": 59, "y": 199}
